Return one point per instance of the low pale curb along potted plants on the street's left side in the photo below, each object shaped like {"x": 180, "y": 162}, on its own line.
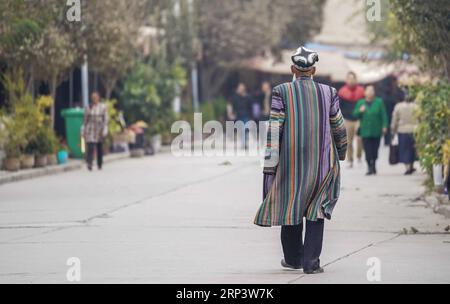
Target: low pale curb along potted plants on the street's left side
{"x": 53, "y": 170}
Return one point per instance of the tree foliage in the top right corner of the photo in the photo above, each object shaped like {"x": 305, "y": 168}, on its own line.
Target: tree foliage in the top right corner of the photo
{"x": 417, "y": 27}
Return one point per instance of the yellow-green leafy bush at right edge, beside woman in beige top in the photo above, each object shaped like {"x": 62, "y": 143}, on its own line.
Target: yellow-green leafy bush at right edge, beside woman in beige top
{"x": 434, "y": 128}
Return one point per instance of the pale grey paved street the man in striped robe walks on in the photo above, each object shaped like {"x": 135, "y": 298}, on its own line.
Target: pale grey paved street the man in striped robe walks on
{"x": 189, "y": 220}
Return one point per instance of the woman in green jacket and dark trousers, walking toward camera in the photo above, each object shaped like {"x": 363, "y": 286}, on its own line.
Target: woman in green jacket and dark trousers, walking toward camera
{"x": 371, "y": 112}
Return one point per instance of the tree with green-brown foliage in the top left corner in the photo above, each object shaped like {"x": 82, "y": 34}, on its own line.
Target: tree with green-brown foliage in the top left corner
{"x": 34, "y": 40}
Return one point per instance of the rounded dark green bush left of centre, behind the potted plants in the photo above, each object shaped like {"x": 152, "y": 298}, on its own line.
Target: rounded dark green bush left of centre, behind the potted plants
{"x": 148, "y": 93}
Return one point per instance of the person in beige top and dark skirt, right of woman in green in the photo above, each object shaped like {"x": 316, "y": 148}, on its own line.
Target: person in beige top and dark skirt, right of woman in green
{"x": 404, "y": 122}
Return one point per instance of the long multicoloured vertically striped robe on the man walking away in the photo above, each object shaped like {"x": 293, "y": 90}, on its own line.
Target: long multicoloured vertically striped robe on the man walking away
{"x": 305, "y": 141}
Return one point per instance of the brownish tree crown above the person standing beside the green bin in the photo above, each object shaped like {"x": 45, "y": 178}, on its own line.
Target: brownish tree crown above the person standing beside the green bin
{"x": 108, "y": 35}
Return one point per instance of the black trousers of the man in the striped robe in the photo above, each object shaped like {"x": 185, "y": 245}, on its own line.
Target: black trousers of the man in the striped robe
{"x": 299, "y": 253}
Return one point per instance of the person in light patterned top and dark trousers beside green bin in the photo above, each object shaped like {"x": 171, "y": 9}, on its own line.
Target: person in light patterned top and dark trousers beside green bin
{"x": 95, "y": 129}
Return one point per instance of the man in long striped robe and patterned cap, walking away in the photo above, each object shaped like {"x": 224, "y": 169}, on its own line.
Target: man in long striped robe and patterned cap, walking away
{"x": 305, "y": 141}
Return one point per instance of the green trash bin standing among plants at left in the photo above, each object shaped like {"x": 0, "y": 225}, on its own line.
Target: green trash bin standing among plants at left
{"x": 74, "y": 121}
